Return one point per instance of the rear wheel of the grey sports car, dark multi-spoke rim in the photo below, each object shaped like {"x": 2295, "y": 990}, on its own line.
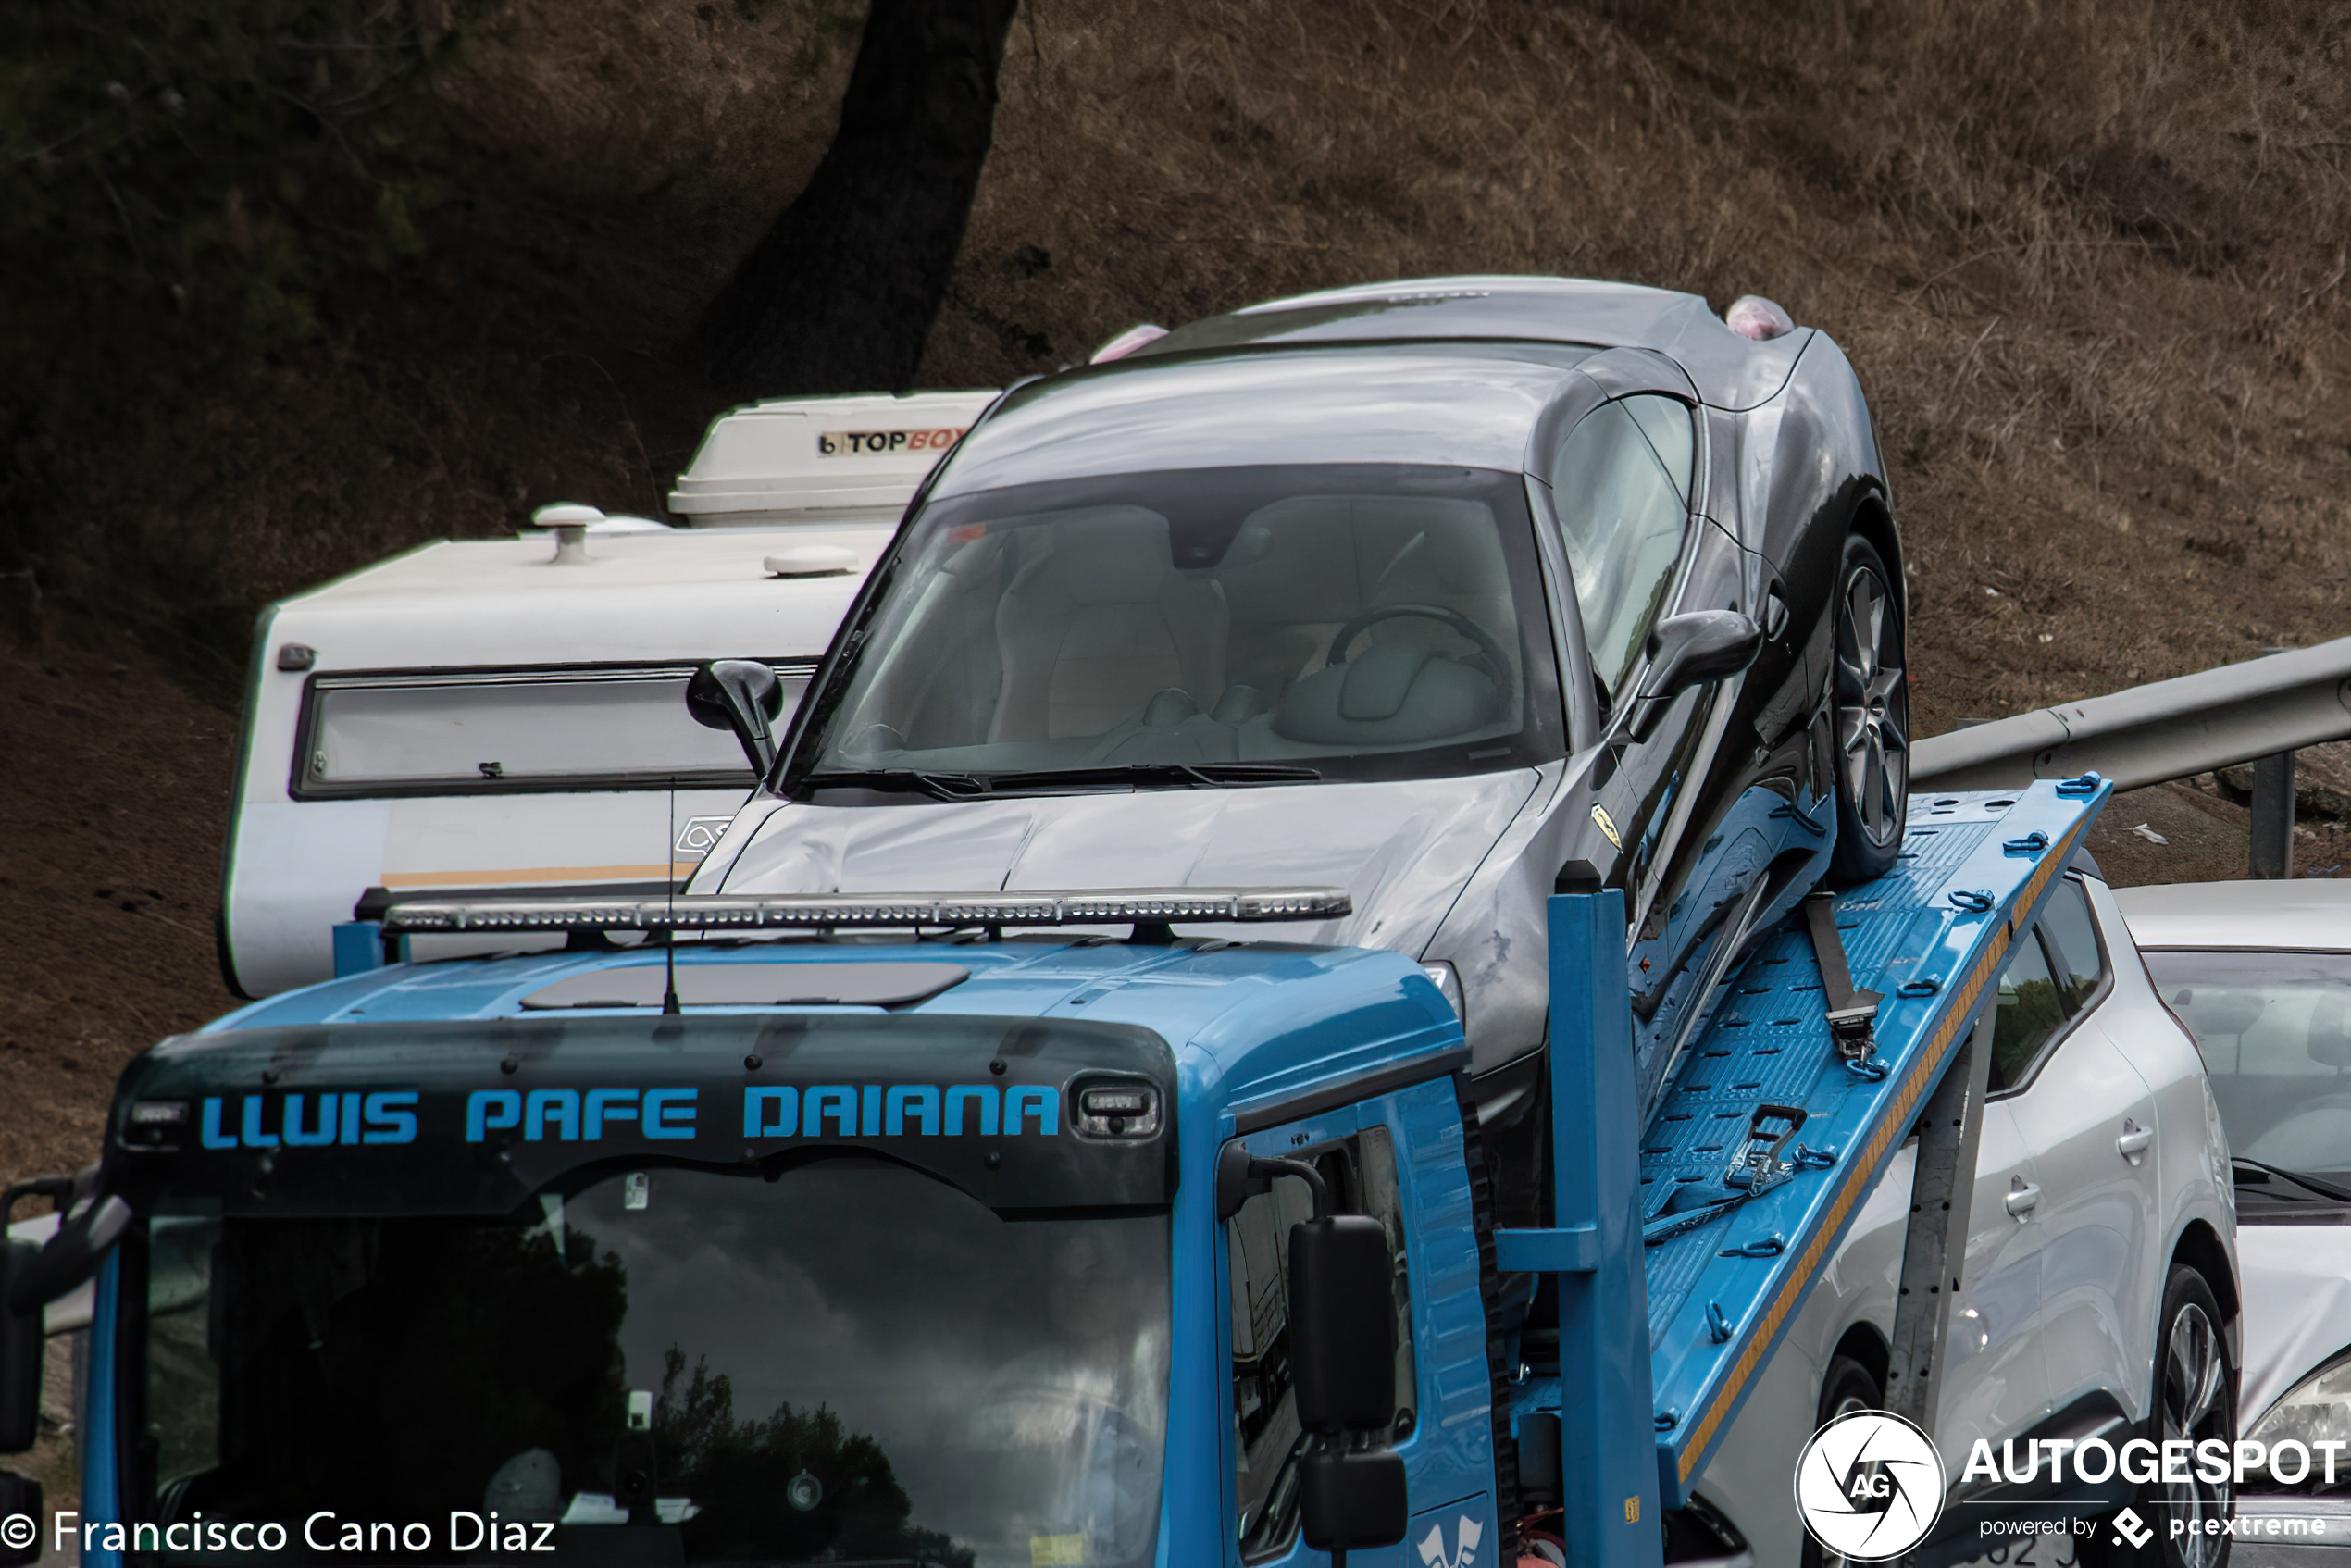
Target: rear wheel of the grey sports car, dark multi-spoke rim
{"x": 1868, "y": 716}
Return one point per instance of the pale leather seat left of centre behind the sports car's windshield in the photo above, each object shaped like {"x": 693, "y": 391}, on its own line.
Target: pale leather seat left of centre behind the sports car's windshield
{"x": 1099, "y": 624}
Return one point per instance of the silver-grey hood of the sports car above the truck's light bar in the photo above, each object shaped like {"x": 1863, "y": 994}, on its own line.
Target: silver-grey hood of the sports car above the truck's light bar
{"x": 1402, "y": 850}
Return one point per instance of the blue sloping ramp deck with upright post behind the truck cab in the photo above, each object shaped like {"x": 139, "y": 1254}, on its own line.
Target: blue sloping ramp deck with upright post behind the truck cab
{"x": 1715, "y": 1287}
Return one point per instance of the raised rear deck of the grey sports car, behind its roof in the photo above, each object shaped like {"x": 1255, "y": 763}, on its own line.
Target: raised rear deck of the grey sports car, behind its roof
{"x": 1729, "y": 370}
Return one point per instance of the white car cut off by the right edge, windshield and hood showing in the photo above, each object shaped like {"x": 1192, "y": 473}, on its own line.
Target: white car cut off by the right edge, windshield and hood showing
{"x": 2263, "y": 974}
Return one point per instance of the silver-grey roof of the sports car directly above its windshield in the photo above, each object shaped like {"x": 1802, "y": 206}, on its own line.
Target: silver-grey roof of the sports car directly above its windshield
{"x": 1421, "y": 403}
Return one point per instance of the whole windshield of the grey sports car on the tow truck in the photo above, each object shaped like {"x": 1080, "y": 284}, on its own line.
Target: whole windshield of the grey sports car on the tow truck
{"x": 1306, "y": 622}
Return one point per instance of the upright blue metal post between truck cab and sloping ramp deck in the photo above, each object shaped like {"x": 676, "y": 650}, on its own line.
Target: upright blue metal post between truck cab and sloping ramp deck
{"x": 1607, "y": 1442}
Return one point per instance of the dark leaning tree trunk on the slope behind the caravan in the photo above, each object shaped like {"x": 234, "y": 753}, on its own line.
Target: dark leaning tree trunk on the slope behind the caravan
{"x": 843, "y": 290}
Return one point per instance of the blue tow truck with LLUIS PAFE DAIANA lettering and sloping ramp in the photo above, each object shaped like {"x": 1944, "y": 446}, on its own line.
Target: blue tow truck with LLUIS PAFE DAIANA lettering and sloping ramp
{"x": 960, "y": 1231}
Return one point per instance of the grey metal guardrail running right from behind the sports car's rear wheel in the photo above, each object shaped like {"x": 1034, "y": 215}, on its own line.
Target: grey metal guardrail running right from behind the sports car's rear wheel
{"x": 2150, "y": 735}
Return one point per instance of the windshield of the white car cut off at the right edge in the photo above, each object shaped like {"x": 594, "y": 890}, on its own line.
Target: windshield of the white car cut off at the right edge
{"x": 2277, "y": 1043}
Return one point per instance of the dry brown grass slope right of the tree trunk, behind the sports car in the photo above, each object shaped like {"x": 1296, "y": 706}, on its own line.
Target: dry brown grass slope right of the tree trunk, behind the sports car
{"x": 2087, "y": 255}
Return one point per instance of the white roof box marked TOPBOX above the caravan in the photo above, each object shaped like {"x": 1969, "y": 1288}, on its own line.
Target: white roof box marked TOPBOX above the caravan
{"x": 822, "y": 460}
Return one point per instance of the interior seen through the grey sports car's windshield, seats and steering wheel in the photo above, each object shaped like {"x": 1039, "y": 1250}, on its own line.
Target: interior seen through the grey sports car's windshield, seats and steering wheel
{"x": 1322, "y": 624}
